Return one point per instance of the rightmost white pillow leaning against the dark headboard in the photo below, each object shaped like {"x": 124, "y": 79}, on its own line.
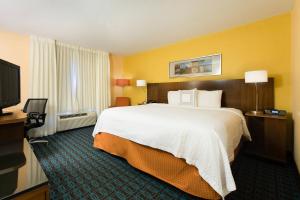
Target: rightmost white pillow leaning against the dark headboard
{"x": 209, "y": 99}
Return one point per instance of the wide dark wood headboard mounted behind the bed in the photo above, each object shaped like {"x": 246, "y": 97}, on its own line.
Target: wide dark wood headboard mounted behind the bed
{"x": 236, "y": 93}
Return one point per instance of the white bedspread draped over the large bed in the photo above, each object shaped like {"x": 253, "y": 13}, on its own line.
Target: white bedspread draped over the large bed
{"x": 205, "y": 138}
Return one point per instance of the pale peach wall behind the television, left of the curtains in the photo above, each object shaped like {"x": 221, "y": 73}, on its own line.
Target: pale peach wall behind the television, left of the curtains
{"x": 14, "y": 48}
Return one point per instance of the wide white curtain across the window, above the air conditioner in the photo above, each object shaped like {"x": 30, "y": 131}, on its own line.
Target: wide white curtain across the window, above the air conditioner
{"x": 83, "y": 79}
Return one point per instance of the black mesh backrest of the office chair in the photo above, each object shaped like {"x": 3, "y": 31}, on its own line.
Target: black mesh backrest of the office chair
{"x": 35, "y": 105}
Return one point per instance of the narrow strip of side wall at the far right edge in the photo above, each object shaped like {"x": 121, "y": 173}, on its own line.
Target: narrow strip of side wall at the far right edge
{"x": 296, "y": 80}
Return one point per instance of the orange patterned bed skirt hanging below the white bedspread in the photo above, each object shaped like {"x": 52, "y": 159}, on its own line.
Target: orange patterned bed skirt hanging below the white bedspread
{"x": 157, "y": 163}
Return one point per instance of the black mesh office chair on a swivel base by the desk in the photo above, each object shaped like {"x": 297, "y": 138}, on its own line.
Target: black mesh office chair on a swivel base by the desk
{"x": 35, "y": 109}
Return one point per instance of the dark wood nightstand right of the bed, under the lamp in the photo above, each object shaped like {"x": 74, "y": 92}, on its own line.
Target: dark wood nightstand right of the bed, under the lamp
{"x": 270, "y": 134}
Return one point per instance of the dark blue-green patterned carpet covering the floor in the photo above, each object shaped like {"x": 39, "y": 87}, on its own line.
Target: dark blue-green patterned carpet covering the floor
{"x": 78, "y": 171}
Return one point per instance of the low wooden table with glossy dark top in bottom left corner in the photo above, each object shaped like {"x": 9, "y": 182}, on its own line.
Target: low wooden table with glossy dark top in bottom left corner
{"x": 22, "y": 177}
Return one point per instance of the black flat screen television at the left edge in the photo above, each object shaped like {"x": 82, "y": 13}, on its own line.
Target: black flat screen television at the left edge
{"x": 9, "y": 85}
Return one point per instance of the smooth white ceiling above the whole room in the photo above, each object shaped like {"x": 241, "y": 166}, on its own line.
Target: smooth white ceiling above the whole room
{"x": 129, "y": 26}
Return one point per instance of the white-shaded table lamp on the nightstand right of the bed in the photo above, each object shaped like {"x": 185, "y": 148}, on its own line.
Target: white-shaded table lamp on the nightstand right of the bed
{"x": 259, "y": 76}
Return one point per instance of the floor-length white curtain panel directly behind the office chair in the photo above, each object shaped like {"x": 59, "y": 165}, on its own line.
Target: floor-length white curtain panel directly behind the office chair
{"x": 43, "y": 81}
